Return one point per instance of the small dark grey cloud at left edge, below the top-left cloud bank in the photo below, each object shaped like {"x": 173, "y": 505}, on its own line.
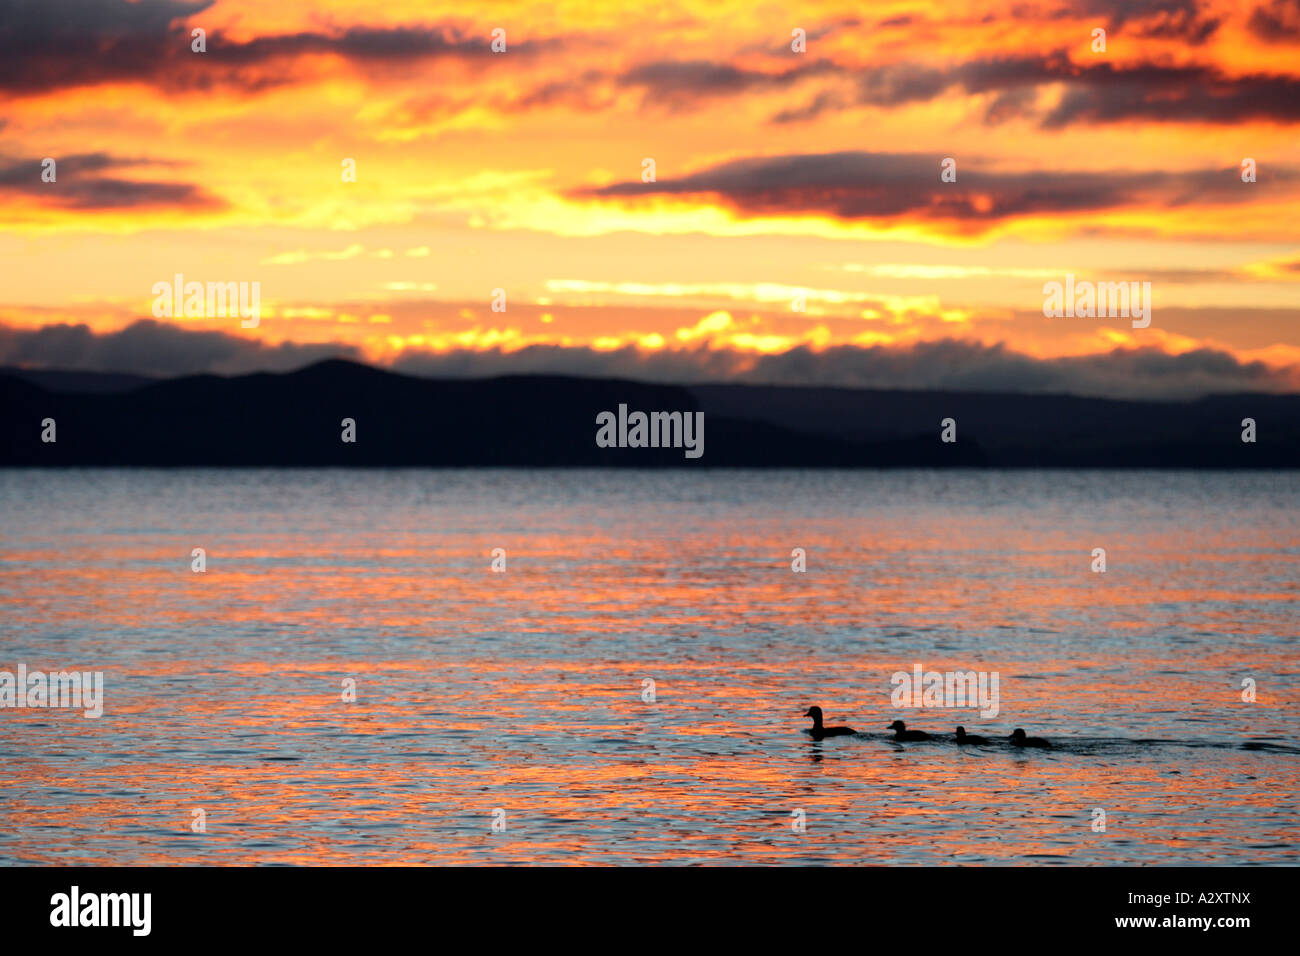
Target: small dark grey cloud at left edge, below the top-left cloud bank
{"x": 79, "y": 185}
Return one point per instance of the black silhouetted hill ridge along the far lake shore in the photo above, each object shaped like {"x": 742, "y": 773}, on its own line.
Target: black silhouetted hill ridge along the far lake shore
{"x": 294, "y": 419}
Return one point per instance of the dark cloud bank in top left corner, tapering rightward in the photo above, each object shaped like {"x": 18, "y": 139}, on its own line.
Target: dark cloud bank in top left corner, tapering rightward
{"x": 47, "y": 45}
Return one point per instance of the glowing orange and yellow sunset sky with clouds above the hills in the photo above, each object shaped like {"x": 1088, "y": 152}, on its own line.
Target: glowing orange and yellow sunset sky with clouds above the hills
{"x": 778, "y": 174}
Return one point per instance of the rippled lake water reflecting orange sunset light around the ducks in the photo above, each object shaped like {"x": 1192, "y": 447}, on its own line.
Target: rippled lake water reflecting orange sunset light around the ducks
{"x": 523, "y": 691}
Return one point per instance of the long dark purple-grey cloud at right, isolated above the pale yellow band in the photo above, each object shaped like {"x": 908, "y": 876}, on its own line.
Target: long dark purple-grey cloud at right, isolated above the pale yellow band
{"x": 874, "y": 187}
